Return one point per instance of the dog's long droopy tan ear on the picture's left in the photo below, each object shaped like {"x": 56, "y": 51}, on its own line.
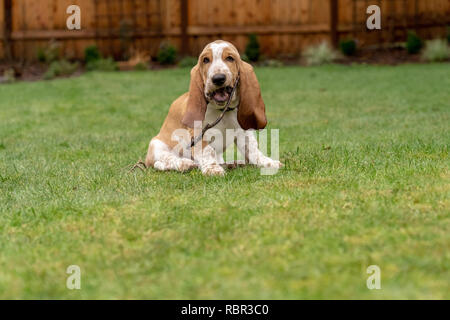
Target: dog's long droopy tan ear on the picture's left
{"x": 196, "y": 105}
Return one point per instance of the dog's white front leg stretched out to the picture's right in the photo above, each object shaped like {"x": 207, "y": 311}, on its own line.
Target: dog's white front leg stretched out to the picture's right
{"x": 248, "y": 145}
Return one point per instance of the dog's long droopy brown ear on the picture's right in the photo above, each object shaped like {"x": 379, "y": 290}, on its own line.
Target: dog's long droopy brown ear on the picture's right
{"x": 252, "y": 111}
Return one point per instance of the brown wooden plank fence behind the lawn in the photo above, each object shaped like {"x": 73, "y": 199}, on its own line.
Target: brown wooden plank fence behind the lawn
{"x": 284, "y": 27}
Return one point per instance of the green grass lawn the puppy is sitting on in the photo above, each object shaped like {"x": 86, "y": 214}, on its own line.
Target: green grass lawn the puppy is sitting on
{"x": 366, "y": 182}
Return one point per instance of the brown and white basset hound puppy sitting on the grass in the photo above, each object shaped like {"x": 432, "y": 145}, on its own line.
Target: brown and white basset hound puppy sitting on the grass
{"x": 212, "y": 80}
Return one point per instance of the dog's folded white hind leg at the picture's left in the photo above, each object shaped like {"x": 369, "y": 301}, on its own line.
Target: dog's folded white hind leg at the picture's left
{"x": 161, "y": 158}
